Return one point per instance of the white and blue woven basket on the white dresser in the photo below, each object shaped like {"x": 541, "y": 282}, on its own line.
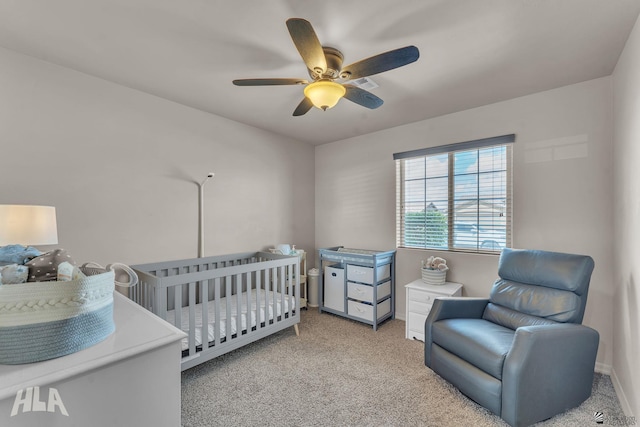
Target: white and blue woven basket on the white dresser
{"x": 45, "y": 320}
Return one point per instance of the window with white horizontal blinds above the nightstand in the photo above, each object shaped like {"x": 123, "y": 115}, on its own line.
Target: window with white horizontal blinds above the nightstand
{"x": 455, "y": 197}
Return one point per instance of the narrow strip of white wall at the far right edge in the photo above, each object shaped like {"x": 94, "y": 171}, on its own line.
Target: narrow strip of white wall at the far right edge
{"x": 626, "y": 214}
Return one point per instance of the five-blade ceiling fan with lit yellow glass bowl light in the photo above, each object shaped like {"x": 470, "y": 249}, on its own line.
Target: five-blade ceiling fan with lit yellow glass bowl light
{"x": 324, "y": 65}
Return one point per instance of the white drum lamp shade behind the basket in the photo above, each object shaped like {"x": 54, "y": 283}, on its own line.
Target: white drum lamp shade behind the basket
{"x": 28, "y": 225}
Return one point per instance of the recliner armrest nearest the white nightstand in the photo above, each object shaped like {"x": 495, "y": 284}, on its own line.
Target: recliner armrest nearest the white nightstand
{"x": 450, "y": 308}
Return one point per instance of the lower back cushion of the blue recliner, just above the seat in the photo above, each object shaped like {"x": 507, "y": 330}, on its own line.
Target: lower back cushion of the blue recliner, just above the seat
{"x": 547, "y": 303}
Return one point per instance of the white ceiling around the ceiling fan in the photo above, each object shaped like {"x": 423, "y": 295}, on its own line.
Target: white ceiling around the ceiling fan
{"x": 472, "y": 52}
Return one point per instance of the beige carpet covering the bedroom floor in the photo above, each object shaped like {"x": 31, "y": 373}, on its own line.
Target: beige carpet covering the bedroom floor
{"x": 342, "y": 373}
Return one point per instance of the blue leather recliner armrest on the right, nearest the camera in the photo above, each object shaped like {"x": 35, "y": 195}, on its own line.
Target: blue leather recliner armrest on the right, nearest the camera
{"x": 548, "y": 370}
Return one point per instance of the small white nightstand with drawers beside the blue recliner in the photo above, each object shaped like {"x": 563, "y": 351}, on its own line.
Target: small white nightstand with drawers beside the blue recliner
{"x": 420, "y": 297}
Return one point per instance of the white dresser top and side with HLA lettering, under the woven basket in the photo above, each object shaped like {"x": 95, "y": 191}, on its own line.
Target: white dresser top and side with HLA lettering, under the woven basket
{"x": 131, "y": 378}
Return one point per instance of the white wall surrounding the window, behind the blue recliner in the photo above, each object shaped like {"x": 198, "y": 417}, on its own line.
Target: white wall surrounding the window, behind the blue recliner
{"x": 562, "y": 189}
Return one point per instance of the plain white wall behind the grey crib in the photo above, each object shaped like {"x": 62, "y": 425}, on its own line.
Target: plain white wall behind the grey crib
{"x": 121, "y": 168}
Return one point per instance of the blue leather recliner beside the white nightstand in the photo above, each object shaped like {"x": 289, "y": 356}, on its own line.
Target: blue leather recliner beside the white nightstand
{"x": 522, "y": 353}
